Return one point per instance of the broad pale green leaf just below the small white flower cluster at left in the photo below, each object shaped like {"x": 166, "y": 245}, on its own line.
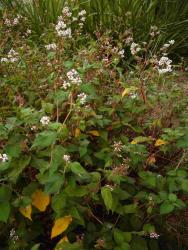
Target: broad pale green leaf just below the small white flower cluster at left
{"x": 44, "y": 139}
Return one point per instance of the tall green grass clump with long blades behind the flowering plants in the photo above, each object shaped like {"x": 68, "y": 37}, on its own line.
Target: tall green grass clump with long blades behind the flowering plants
{"x": 115, "y": 15}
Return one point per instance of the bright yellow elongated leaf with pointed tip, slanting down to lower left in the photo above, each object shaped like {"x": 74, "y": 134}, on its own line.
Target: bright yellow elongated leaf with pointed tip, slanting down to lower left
{"x": 60, "y": 225}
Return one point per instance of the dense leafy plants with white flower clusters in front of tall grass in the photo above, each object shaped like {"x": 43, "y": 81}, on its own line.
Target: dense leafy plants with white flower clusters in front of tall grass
{"x": 93, "y": 139}
